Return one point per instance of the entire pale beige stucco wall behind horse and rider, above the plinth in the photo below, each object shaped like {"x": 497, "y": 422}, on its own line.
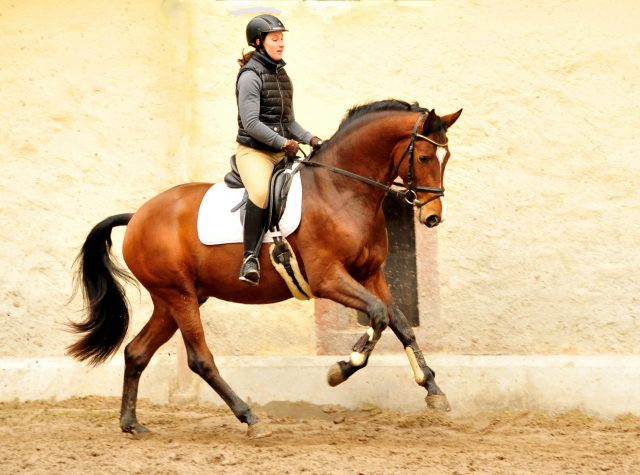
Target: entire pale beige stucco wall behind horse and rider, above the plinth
{"x": 106, "y": 105}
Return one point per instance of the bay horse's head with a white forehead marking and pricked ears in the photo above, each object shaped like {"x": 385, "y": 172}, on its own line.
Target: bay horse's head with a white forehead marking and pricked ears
{"x": 426, "y": 167}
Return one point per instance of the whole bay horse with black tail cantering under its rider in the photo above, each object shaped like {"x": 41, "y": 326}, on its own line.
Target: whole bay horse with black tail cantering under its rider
{"x": 341, "y": 244}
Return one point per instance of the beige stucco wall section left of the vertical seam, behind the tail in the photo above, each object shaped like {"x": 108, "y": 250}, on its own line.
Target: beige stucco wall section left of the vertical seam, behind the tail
{"x": 89, "y": 127}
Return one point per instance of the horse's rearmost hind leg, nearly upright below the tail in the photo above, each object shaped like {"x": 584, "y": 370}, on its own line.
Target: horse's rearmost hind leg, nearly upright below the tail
{"x": 137, "y": 355}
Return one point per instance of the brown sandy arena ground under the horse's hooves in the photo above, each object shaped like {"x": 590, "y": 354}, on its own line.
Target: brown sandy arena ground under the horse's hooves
{"x": 82, "y": 436}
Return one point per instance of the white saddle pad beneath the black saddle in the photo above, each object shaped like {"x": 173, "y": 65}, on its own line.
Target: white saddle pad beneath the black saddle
{"x": 218, "y": 225}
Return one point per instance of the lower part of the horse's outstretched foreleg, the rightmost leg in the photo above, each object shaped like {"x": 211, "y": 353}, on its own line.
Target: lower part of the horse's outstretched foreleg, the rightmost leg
{"x": 423, "y": 375}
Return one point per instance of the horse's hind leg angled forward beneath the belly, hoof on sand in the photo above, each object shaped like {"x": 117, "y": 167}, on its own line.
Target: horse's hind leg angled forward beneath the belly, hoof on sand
{"x": 201, "y": 362}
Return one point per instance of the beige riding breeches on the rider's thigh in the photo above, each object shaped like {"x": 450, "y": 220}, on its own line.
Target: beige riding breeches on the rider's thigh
{"x": 255, "y": 167}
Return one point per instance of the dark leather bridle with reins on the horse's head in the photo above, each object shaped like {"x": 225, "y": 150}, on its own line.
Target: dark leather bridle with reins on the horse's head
{"x": 410, "y": 194}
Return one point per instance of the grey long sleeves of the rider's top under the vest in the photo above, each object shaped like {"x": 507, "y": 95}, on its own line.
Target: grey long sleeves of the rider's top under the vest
{"x": 249, "y": 87}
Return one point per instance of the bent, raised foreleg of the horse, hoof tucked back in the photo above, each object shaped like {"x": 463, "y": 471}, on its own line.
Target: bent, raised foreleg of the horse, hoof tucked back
{"x": 347, "y": 291}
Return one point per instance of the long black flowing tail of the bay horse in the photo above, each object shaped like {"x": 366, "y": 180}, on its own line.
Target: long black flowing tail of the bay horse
{"x": 105, "y": 302}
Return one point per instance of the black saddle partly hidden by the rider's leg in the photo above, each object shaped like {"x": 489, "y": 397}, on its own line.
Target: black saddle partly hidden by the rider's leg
{"x": 278, "y": 190}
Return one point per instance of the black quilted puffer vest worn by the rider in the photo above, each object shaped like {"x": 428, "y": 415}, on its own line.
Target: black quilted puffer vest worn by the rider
{"x": 276, "y": 98}
